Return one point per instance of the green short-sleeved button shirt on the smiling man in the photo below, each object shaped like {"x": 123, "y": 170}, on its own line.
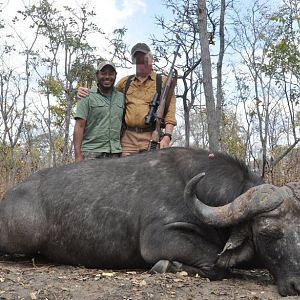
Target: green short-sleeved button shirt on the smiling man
{"x": 103, "y": 122}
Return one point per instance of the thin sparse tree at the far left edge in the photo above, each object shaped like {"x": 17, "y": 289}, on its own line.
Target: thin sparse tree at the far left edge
{"x": 14, "y": 90}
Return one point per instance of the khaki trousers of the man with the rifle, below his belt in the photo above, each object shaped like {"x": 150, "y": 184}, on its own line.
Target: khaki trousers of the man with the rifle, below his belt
{"x": 134, "y": 142}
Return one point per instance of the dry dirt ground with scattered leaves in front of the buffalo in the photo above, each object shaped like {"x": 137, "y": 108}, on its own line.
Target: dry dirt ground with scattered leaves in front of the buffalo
{"x": 22, "y": 278}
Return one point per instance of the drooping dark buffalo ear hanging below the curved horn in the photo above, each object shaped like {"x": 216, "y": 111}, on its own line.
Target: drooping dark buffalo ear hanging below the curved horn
{"x": 239, "y": 247}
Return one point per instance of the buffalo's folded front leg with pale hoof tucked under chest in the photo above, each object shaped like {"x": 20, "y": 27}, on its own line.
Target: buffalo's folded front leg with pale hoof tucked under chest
{"x": 175, "y": 250}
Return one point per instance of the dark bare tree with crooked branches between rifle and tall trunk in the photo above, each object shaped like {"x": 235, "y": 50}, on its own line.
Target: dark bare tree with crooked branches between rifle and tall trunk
{"x": 182, "y": 30}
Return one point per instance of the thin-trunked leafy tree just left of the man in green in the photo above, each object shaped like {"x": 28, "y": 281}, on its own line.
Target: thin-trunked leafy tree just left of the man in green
{"x": 65, "y": 34}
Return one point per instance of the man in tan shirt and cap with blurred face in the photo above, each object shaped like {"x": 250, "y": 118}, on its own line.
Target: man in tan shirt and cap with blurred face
{"x": 138, "y": 98}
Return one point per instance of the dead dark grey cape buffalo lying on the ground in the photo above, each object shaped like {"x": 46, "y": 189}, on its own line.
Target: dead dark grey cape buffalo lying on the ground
{"x": 155, "y": 210}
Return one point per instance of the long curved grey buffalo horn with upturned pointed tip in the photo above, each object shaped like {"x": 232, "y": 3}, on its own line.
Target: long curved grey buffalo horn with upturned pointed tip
{"x": 256, "y": 200}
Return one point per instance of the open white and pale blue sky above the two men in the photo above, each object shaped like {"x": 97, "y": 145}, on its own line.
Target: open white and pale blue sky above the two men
{"x": 138, "y": 16}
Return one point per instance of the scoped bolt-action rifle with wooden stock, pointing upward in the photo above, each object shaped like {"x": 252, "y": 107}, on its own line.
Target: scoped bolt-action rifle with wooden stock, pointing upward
{"x": 159, "y": 105}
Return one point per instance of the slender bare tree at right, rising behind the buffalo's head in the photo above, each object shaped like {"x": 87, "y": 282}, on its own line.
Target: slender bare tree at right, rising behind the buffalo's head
{"x": 254, "y": 35}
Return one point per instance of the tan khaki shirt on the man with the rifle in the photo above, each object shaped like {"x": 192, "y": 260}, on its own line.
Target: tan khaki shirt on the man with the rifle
{"x": 138, "y": 98}
